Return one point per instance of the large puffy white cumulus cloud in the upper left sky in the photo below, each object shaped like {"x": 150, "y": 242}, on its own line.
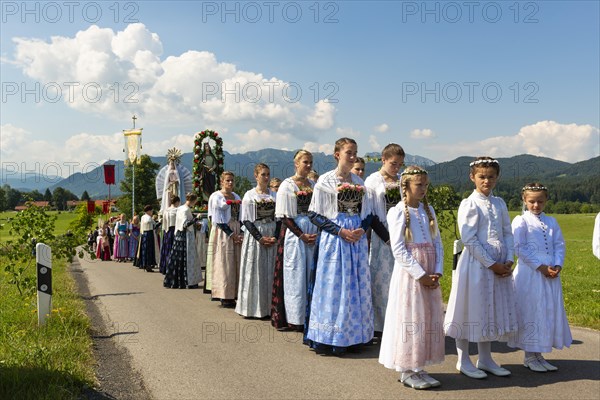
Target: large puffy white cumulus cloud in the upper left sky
{"x": 125, "y": 74}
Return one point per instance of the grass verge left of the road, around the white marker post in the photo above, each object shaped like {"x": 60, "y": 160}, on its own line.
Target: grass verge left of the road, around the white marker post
{"x": 51, "y": 362}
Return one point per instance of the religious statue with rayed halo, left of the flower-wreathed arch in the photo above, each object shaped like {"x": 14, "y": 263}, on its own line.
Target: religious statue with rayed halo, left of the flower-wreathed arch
{"x": 172, "y": 180}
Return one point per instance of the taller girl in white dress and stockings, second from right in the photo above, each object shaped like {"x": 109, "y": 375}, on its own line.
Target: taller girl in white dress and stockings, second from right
{"x": 481, "y": 307}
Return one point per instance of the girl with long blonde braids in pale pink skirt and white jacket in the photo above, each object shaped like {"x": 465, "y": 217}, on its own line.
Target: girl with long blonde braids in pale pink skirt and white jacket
{"x": 413, "y": 336}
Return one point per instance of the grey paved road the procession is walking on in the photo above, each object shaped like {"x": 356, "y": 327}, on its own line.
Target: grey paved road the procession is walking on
{"x": 187, "y": 347}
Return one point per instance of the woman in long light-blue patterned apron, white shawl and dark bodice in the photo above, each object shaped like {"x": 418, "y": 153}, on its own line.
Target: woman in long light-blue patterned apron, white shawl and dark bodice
{"x": 341, "y": 311}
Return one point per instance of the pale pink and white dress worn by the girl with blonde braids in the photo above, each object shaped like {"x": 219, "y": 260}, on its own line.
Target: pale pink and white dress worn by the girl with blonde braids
{"x": 413, "y": 336}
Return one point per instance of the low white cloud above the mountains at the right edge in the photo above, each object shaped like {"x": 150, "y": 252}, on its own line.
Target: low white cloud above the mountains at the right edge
{"x": 565, "y": 142}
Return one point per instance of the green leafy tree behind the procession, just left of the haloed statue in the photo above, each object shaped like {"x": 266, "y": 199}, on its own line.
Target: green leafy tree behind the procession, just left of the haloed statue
{"x": 145, "y": 189}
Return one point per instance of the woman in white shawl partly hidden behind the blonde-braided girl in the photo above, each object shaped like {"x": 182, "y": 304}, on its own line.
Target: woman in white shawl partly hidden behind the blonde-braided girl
{"x": 385, "y": 186}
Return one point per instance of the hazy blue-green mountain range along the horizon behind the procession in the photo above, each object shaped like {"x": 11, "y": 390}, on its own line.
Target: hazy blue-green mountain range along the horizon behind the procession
{"x": 517, "y": 170}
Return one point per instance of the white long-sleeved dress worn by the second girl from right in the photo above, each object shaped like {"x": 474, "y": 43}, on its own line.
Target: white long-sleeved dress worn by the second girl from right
{"x": 482, "y": 305}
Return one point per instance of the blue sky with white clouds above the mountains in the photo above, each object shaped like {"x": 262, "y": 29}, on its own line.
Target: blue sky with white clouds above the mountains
{"x": 443, "y": 79}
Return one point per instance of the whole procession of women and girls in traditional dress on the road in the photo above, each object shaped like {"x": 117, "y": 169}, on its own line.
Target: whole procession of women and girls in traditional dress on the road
{"x": 345, "y": 260}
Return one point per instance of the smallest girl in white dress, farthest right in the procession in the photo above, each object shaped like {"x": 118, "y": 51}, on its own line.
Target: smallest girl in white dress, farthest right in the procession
{"x": 540, "y": 246}
